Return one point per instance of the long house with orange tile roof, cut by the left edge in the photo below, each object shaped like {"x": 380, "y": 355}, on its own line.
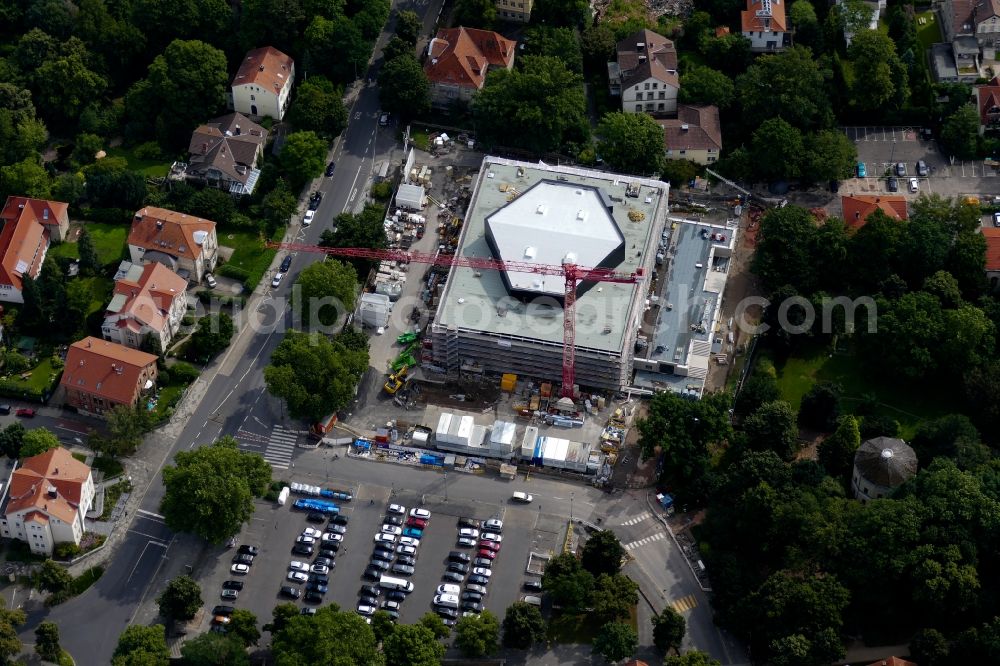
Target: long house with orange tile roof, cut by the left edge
{"x": 28, "y": 226}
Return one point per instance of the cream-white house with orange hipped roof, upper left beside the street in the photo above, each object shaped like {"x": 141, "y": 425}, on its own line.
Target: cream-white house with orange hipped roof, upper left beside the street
{"x": 263, "y": 84}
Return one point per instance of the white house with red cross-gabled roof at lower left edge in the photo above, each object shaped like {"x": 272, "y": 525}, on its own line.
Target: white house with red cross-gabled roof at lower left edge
{"x": 46, "y": 501}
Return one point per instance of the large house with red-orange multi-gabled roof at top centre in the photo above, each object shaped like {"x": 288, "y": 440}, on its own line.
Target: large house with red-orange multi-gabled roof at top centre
{"x": 458, "y": 60}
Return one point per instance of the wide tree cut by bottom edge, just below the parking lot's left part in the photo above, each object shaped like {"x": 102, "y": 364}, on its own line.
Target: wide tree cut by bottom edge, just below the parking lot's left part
{"x": 331, "y": 636}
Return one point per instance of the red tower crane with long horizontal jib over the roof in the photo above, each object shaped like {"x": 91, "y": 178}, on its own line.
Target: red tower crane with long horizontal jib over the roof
{"x": 570, "y": 272}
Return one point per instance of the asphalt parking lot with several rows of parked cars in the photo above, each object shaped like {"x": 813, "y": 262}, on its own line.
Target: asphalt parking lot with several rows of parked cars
{"x": 274, "y": 531}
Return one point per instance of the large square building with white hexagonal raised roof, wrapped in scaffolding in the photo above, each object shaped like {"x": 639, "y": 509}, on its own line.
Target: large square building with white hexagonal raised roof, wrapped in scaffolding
{"x": 492, "y": 323}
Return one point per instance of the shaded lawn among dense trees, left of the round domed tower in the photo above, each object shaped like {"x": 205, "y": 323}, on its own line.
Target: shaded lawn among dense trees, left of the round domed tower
{"x": 909, "y": 403}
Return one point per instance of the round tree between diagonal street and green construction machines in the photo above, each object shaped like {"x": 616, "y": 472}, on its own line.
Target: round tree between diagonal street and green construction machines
{"x": 313, "y": 374}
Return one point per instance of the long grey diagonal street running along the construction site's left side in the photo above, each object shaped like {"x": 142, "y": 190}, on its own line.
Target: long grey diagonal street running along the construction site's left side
{"x": 234, "y": 401}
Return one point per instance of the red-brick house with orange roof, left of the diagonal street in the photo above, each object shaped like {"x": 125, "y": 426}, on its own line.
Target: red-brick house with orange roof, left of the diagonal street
{"x": 100, "y": 375}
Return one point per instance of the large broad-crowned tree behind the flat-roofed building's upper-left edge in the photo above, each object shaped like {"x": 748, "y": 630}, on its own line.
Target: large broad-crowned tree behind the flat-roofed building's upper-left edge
{"x": 539, "y": 107}
